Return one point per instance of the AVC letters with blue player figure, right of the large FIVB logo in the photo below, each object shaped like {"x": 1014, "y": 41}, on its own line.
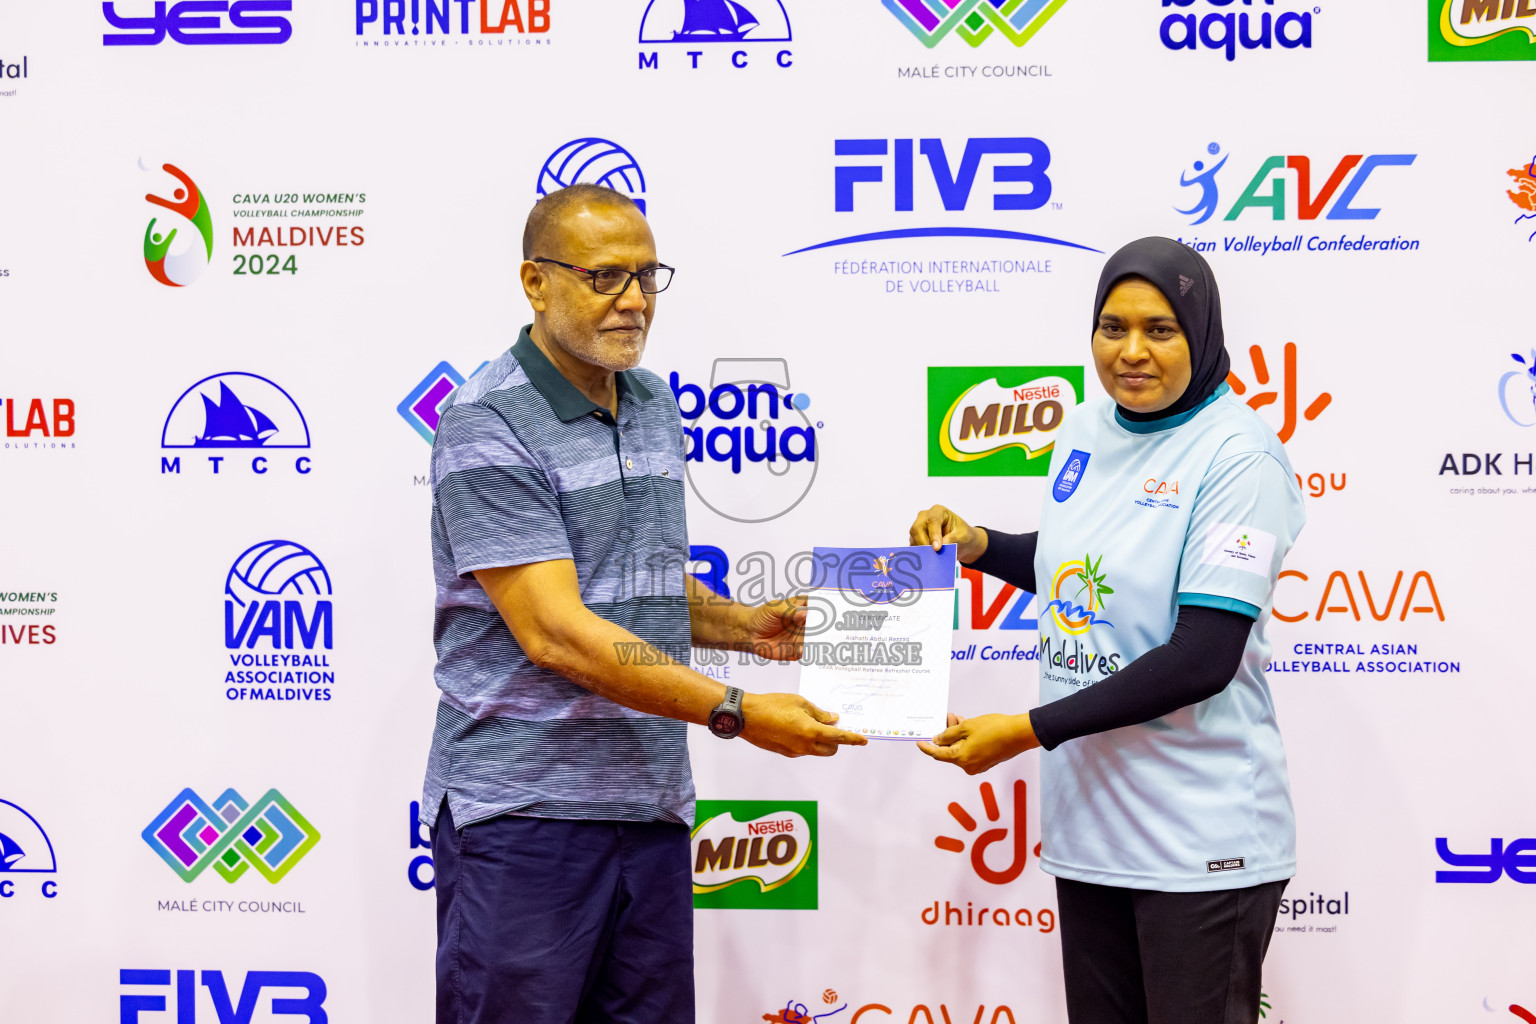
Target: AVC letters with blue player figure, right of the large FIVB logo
{"x": 1345, "y": 182}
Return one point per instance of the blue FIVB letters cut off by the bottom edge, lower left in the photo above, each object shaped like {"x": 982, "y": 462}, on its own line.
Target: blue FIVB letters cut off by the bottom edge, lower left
{"x": 191, "y": 1009}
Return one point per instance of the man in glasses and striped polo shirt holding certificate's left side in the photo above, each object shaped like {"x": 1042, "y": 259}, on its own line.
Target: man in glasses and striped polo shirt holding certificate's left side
{"x": 558, "y": 782}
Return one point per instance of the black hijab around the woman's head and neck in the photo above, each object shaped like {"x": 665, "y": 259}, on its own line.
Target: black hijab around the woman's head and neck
{"x": 1187, "y": 282}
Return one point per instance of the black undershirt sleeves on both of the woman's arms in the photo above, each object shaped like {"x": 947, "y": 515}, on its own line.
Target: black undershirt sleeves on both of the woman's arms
{"x": 1196, "y": 664}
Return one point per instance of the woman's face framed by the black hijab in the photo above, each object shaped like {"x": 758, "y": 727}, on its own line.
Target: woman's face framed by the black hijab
{"x": 1140, "y": 349}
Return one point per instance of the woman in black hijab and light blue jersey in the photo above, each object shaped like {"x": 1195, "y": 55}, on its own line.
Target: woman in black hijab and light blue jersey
{"x": 1167, "y": 808}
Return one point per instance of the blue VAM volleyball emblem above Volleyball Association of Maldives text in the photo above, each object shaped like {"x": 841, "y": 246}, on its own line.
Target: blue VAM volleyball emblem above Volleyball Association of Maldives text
{"x": 277, "y": 592}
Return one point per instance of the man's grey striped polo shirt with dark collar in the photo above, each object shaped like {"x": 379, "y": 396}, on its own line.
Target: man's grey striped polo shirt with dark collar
{"x": 526, "y": 469}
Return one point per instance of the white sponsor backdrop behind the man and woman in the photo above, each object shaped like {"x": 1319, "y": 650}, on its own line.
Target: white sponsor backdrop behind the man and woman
{"x": 122, "y": 705}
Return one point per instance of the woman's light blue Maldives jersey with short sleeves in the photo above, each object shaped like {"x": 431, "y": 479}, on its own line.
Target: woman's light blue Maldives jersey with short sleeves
{"x": 1140, "y": 520}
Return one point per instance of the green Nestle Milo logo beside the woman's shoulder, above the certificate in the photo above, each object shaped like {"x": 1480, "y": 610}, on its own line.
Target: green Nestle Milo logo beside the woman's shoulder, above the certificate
{"x": 982, "y": 428}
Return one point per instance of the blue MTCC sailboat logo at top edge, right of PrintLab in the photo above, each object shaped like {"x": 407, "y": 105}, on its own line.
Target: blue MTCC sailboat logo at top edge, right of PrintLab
{"x": 715, "y": 22}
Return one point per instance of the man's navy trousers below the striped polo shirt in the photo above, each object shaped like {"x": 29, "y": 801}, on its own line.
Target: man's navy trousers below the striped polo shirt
{"x": 555, "y": 922}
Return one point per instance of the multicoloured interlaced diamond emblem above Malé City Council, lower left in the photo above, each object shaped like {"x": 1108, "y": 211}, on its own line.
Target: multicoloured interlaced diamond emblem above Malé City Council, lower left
{"x": 231, "y": 836}
